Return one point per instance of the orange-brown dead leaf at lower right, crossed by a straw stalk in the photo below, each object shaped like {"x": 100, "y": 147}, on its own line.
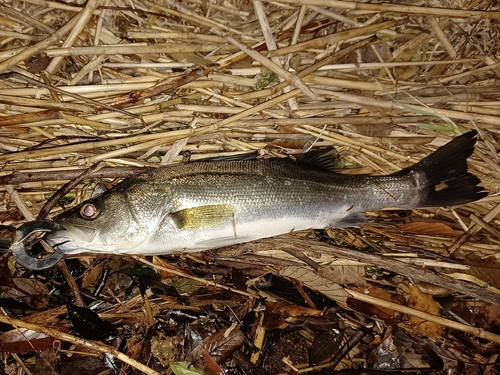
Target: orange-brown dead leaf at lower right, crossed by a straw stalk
{"x": 424, "y": 302}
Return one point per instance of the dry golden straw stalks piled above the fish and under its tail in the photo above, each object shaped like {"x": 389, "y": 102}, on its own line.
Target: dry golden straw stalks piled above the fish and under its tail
{"x": 123, "y": 85}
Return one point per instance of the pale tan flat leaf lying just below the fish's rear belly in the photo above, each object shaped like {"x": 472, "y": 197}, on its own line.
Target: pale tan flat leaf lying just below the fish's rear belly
{"x": 315, "y": 282}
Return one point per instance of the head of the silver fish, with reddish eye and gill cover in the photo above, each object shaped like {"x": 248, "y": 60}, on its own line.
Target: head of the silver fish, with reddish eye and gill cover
{"x": 104, "y": 224}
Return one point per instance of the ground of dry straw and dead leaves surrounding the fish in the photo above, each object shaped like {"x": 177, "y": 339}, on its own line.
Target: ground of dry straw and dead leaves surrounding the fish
{"x": 120, "y": 86}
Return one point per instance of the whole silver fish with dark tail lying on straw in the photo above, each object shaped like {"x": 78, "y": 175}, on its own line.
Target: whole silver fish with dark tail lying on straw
{"x": 202, "y": 205}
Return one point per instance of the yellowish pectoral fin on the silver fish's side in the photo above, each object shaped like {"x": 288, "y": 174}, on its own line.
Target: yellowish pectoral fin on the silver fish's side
{"x": 204, "y": 216}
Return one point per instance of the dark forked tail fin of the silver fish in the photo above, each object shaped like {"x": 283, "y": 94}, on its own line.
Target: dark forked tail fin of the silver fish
{"x": 443, "y": 176}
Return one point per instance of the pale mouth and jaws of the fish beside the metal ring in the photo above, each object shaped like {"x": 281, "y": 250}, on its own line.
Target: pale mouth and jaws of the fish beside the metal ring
{"x": 73, "y": 238}
